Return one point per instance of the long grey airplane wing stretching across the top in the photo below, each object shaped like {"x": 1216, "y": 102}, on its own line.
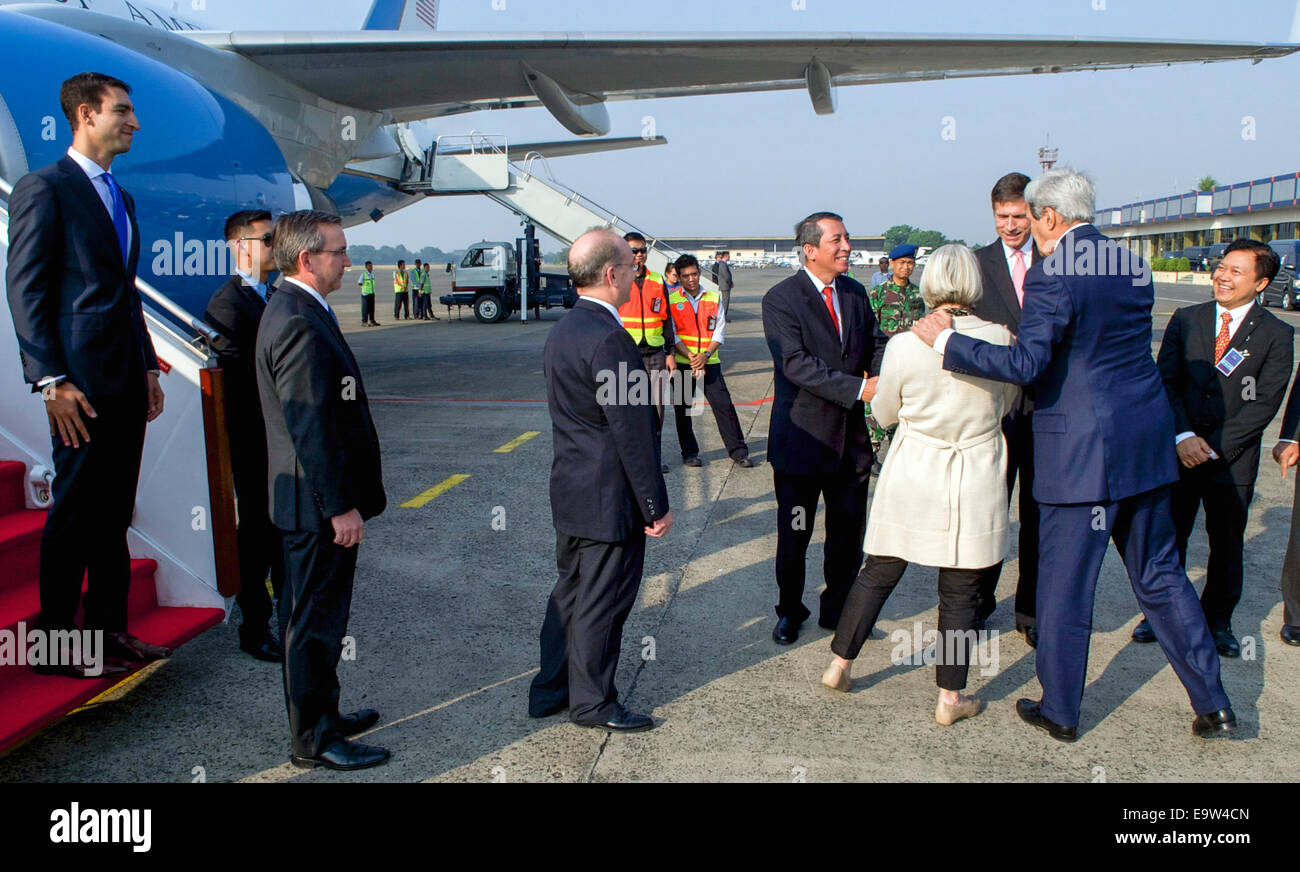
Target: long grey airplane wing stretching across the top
{"x": 428, "y": 75}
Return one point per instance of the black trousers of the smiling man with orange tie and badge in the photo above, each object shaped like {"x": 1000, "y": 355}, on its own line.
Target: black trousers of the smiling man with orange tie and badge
{"x": 1227, "y": 513}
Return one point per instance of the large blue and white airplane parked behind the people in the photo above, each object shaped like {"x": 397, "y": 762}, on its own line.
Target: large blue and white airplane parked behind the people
{"x": 244, "y": 119}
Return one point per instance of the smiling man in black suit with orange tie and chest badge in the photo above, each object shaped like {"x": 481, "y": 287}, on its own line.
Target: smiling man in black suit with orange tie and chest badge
{"x": 1227, "y": 366}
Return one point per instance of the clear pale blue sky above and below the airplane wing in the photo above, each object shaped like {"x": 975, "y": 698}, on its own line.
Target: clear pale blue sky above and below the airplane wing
{"x": 755, "y": 164}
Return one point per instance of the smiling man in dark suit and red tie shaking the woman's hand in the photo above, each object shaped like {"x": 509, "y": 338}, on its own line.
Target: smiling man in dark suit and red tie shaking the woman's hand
{"x": 825, "y": 342}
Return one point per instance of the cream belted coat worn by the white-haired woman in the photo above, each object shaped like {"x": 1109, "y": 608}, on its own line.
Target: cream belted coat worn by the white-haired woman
{"x": 941, "y": 500}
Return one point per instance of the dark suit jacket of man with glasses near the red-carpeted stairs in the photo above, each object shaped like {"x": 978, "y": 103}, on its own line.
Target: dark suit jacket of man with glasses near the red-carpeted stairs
{"x": 323, "y": 454}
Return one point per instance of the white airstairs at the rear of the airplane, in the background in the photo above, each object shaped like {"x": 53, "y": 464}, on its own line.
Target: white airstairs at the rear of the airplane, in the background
{"x": 480, "y": 164}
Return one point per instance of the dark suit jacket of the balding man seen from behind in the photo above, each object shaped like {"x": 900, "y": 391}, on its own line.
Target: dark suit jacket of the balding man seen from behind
{"x": 605, "y": 479}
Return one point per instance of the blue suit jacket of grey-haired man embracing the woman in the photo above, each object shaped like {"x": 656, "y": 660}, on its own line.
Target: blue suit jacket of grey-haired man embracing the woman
{"x": 1103, "y": 430}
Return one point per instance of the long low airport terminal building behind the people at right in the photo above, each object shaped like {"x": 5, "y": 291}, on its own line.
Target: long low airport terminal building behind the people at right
{"x": 1264, "y": 210}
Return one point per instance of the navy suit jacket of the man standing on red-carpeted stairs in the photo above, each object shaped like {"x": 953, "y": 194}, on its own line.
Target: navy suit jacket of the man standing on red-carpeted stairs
{"x": 75, "y": 303}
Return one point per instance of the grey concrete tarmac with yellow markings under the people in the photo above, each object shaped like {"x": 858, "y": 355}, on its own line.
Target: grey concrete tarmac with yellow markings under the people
{"x": 450, "y": 597}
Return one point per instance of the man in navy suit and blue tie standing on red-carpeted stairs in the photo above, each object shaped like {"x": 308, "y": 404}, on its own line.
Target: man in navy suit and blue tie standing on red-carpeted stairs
{"x": 73, "y": 251}
